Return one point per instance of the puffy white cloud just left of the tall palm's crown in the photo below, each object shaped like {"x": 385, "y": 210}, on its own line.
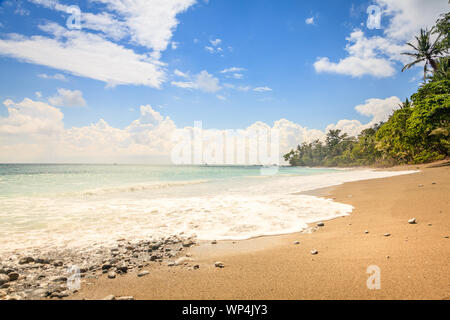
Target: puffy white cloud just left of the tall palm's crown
{"x": 377, "y": 56}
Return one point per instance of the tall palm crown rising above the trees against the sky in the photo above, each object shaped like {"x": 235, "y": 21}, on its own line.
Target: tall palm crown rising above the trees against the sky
{"x": 425, "y": 51}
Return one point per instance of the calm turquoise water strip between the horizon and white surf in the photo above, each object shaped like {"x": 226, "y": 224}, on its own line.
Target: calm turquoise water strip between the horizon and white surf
{"x": 39, "y": 179}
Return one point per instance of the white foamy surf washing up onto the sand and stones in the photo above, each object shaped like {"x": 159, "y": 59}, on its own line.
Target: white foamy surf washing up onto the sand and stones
{"x": 263, "y": 207}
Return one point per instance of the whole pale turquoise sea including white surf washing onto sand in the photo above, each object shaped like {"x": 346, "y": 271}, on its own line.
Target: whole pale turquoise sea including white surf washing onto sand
{"x": 54, "y": 206}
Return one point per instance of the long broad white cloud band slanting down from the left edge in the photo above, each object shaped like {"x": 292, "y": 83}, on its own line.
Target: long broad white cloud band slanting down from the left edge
{"x": 85, "y": 54}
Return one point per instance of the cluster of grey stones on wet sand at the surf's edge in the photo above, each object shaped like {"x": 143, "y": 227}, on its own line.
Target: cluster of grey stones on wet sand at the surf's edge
{"x": 40, "y": 274}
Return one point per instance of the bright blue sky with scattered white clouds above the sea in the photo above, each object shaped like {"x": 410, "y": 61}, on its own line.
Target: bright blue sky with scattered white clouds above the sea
{"x": 112, "y": 80}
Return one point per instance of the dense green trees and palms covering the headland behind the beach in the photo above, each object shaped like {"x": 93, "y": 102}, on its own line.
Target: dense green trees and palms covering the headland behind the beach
{"x": 417, "y": 132}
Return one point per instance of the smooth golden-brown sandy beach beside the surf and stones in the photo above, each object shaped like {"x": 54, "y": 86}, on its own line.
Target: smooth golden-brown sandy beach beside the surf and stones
{"x": 414, "y": 260}
